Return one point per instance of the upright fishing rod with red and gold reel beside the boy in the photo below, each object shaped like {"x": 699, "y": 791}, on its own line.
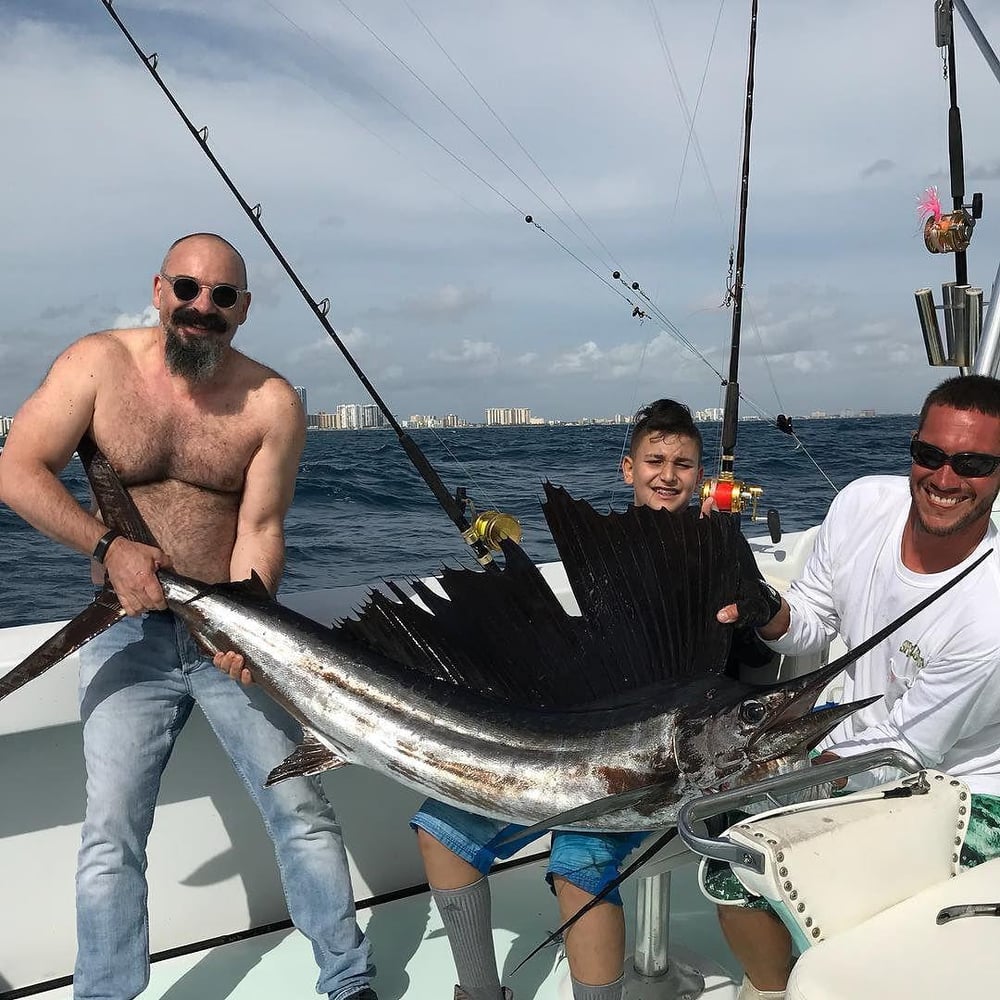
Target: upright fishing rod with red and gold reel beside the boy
{"x": 730, "y": 494}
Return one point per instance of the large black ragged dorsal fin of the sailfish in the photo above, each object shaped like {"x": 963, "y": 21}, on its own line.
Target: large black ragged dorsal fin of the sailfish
{"x": 648, "y": 584}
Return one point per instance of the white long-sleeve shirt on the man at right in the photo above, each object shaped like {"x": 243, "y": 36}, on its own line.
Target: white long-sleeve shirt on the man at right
{"x": 939, "y": 673}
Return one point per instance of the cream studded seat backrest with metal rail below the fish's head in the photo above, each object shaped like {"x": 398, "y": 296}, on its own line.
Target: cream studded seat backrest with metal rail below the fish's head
{"x": 820, "y": 857}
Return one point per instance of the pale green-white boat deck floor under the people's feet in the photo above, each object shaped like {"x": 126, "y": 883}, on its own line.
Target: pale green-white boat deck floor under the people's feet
{"x": 412, "y": 955}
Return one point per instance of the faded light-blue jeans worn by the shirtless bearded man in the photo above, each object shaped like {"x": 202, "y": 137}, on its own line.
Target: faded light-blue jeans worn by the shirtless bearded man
{"x": 138, "y": 683}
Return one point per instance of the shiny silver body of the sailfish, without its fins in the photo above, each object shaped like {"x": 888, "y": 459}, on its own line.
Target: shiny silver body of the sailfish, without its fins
{"x": 518, "y": 765}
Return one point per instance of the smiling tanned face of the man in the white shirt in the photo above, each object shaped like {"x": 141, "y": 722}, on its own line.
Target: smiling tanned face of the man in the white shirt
{"x": 945, "y": 504}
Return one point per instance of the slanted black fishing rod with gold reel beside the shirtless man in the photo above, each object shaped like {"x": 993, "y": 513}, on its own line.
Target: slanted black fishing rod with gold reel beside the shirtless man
{"x": 484, "y": 534}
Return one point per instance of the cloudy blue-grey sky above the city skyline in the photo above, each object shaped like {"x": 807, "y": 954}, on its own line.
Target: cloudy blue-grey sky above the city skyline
{"x": 395, "y": 147}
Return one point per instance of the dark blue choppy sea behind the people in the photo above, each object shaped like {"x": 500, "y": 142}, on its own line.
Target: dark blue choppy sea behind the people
{"x": 361, "y": 512}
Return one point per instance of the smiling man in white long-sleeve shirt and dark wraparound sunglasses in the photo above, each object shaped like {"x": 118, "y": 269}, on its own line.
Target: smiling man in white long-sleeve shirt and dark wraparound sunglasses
{"x": 876, "y": 556}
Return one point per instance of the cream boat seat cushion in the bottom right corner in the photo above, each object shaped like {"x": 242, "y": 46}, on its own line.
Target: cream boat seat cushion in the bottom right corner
{"x": 903, "y": 952}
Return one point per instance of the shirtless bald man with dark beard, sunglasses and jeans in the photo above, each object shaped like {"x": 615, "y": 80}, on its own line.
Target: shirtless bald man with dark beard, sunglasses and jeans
{"x": 208, "y": 442}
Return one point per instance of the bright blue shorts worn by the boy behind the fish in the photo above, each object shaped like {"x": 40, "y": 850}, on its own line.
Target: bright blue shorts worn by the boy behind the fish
{"x": 588, "y": 860}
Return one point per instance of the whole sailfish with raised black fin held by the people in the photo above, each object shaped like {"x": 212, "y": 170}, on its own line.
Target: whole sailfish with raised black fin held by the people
{"x": 493, "y": 698}
